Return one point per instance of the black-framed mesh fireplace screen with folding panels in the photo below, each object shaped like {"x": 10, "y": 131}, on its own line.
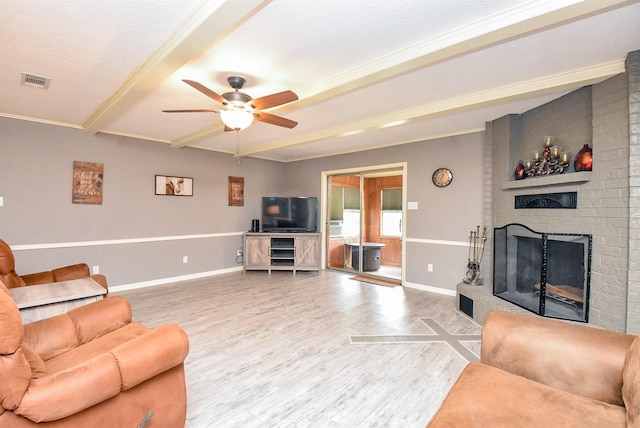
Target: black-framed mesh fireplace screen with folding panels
{"x": 546, "y": 273}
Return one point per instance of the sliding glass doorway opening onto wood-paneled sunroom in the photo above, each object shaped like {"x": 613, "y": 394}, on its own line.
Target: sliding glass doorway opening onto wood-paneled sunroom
{"x": 364, "y": 221}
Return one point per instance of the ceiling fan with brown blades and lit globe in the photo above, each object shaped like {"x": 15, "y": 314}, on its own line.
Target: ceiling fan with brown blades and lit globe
{"x": 239, "y": 109}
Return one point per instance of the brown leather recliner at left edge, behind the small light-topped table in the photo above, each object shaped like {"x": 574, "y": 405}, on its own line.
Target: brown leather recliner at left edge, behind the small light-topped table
{"x": 11, "y": 279}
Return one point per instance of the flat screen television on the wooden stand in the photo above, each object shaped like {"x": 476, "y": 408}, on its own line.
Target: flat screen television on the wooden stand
{"x": 289, "y": 214}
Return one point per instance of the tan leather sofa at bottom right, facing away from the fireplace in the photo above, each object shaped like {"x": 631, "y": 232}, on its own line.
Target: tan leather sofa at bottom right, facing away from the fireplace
{"x": 539, "y": 372}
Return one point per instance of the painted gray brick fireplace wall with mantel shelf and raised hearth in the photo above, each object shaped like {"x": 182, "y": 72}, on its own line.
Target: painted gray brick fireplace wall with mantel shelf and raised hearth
{"x": 606, "y": 116}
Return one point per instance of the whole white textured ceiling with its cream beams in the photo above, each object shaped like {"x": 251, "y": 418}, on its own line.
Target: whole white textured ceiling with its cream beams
{"x": 430, "y": 68}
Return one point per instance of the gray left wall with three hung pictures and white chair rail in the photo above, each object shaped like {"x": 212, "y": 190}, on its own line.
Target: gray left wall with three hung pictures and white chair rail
{"x": 132, "y": 235}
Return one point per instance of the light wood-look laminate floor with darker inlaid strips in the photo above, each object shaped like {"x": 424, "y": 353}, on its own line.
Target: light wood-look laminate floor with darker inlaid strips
{"x": 276, "y": 350}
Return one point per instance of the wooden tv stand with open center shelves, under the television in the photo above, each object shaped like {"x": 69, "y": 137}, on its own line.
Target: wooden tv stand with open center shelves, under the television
{"x": 282, "y": 251}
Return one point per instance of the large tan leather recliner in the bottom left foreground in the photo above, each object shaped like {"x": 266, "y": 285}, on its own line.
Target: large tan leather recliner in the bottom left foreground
{"x": 90, "y": 367}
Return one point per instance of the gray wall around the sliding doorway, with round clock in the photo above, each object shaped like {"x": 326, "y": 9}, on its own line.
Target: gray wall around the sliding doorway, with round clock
{"x": 437, "y": 232}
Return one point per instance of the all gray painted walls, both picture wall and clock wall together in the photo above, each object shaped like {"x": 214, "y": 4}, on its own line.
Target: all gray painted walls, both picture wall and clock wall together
{"x": 136, "y": 236}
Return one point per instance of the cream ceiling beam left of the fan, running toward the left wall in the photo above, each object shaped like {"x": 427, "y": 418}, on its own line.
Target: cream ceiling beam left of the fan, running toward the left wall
{"x": 209, "y": 23}
